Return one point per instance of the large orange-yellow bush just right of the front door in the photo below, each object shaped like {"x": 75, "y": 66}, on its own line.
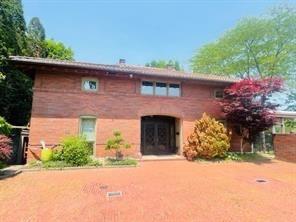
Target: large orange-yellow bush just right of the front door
{"x": 209, "y": 139}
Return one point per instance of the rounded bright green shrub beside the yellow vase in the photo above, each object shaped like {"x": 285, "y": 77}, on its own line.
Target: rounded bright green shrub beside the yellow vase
{"x": 75, "y": 151}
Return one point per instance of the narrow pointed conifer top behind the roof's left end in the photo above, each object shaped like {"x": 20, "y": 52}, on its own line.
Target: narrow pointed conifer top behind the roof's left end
{"x": 35, "y": 38}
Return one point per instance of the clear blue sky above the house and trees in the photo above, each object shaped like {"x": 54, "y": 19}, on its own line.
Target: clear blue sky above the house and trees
{"x": 139, "y": 31}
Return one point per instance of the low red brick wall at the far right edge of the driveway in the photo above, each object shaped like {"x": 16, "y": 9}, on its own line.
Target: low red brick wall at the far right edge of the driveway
{"x": 285, "y": 146}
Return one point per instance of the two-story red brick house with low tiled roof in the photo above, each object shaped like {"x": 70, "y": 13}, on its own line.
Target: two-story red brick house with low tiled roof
{"x": 154, "y": 108}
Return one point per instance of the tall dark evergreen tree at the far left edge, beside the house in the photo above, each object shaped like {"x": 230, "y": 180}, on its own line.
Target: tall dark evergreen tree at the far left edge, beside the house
{"x": 15, "y": 87}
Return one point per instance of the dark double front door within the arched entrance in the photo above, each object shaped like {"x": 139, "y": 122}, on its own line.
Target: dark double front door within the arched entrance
{"x": 157, "y": 135}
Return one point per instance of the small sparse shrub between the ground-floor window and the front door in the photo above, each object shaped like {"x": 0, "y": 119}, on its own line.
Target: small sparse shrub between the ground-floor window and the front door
{"x": 117, "y": 143}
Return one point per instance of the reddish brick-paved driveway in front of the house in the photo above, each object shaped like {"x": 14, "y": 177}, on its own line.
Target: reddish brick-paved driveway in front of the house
{"x": 155, "y": 191}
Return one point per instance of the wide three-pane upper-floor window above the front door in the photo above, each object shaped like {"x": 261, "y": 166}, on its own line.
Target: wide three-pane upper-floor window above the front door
{"x": 160, "y": 88}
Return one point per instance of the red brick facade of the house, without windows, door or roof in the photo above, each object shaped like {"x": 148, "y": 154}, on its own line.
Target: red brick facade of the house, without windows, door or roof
{"x": 59, "y": 102}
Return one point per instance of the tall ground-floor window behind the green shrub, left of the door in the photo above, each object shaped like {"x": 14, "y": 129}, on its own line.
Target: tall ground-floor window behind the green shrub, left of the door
{"x": 88, "y": 130}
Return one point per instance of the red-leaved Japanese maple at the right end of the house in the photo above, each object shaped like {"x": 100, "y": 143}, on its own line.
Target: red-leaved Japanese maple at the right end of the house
{"x": 247, "y": 105}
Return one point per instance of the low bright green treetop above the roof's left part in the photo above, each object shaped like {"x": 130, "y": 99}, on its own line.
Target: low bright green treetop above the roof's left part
{"x": 57, "y": 50}
